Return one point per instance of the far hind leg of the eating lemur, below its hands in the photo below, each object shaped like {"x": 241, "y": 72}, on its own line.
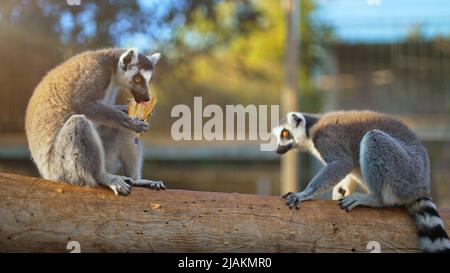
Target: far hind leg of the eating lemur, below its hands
{"x": 131, "y": 157}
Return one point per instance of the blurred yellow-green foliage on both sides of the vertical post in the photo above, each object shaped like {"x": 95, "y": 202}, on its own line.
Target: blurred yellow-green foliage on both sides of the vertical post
{"x": 250, "y": 67}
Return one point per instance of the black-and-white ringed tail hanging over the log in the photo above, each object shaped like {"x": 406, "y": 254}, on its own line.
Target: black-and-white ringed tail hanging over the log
{"x": 430, "y": 227}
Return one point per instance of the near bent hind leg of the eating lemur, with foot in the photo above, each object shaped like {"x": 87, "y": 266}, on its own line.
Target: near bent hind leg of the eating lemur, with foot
{"x": 78, "y": 157}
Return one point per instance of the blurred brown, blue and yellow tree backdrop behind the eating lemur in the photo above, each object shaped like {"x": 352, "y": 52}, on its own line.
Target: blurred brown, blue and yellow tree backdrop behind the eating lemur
{"x": 225, "y": 51}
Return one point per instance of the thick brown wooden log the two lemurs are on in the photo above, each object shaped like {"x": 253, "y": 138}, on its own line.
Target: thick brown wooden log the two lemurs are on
{"x": 43, "y": 216}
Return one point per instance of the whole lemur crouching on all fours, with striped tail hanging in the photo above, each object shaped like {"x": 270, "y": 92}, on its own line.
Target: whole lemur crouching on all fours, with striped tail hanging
{"x": 374, "y": 150}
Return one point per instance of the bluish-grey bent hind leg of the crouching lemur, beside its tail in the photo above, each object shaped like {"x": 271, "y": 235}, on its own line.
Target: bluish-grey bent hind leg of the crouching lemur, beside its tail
{"x": 387, "y": 169}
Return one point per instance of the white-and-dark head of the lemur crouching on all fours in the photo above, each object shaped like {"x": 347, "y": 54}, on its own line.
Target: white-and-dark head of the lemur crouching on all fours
{"x": 290, "y": 133}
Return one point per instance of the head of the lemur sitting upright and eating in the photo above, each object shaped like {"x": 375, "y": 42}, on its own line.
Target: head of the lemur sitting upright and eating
{"x": 134, "y": 71}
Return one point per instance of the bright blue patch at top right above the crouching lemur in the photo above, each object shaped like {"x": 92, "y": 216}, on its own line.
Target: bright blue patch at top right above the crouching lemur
{"x": 384, "y": 20}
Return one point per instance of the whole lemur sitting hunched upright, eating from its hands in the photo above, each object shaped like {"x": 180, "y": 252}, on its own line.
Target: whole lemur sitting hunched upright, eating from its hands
{"x": 77, "y": 134}
